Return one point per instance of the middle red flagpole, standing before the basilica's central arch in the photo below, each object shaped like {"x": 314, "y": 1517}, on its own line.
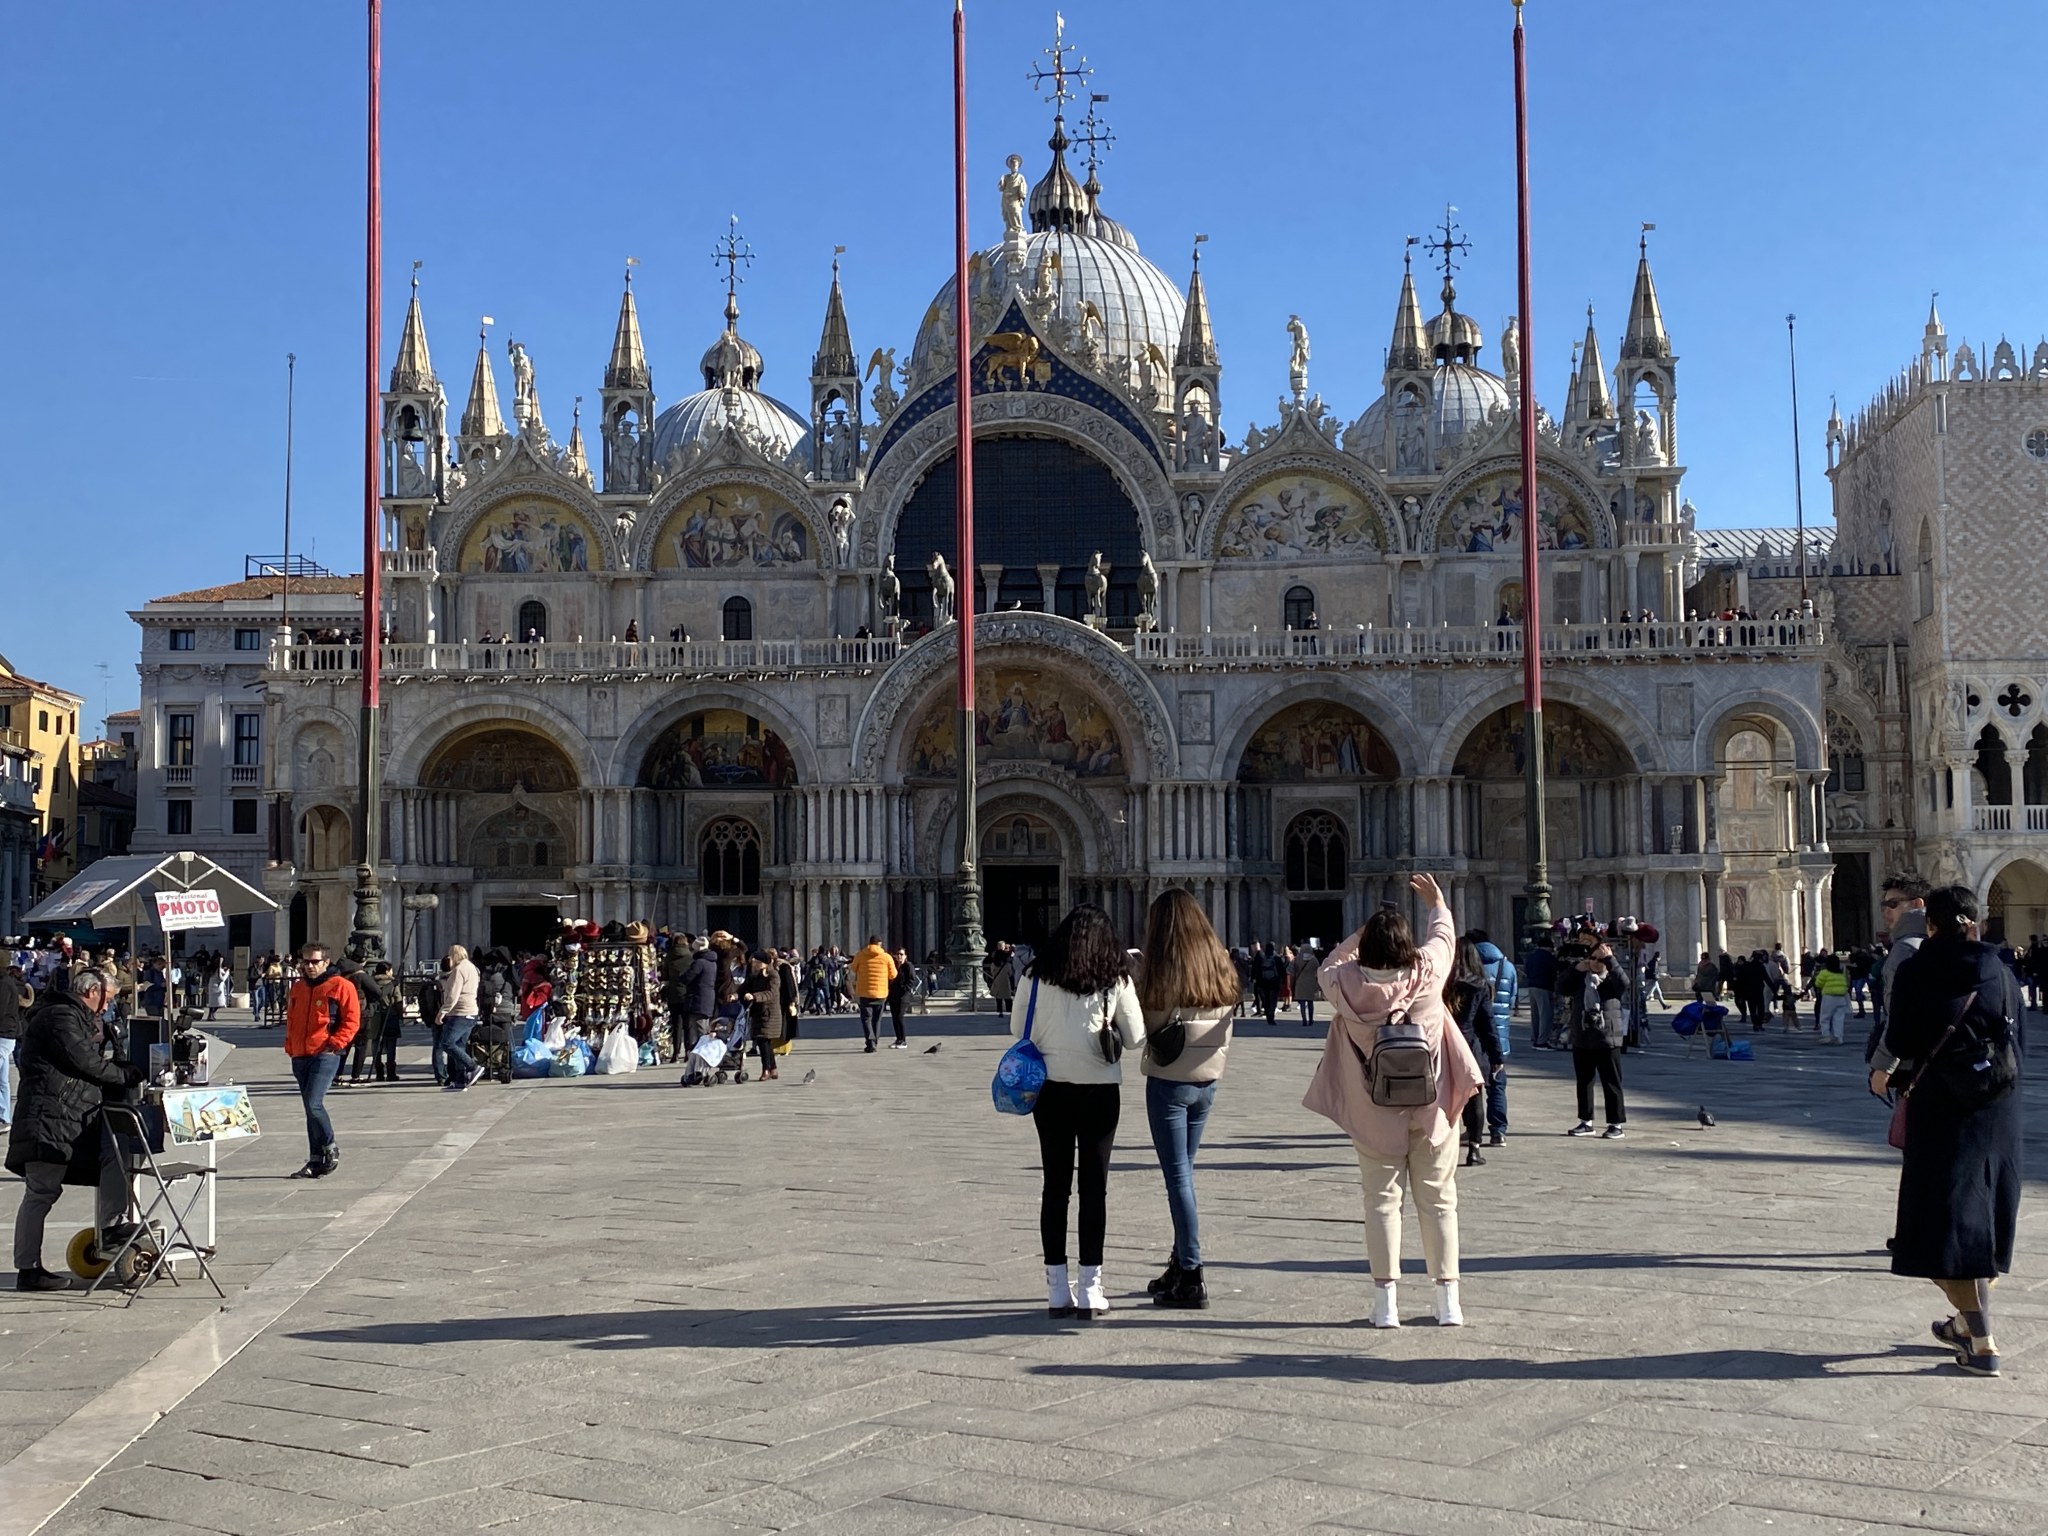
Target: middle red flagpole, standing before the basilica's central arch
{"x": 966, "y": 945}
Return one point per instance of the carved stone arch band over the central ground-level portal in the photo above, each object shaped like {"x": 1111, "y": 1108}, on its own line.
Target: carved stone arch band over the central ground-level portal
{"x": 904, "y": 691}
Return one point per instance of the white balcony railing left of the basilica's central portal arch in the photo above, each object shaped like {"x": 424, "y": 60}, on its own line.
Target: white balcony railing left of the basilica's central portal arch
{"x": 599, "y": 658}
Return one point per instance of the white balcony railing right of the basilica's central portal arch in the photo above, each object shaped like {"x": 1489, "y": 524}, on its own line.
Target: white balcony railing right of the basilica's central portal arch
{"x": 1738, "y": 638}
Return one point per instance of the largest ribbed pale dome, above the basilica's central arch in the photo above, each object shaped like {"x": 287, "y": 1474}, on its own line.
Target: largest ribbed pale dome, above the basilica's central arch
{"x": 1138, "y": 302}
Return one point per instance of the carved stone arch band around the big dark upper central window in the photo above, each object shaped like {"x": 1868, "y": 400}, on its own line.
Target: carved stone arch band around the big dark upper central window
{"x": 1136, "y": 464}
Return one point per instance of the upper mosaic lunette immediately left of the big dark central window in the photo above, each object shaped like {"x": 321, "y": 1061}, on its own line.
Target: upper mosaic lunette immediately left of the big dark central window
{"x": 730, "y": 517}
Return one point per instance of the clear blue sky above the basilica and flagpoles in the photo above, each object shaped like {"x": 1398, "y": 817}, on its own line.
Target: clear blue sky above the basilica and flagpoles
{"x": 185, "y": 206}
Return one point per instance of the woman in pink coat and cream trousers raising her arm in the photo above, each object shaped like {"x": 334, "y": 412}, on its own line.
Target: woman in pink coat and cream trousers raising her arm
{"x": 1369, "y": 978}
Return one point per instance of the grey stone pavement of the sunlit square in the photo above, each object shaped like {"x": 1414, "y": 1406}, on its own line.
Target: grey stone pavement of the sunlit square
{"x": 609, "y": 1306}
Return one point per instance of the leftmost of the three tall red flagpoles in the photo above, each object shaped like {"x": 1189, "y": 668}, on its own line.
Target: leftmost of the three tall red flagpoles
{"x": 368, "y": 937}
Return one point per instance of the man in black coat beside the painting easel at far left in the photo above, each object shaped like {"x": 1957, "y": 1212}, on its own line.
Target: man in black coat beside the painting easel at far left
{"x": 56, "y": 1136}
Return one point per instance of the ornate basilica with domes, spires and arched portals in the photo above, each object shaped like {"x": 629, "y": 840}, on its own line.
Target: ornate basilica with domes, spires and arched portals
{"x": 697, "y": 665}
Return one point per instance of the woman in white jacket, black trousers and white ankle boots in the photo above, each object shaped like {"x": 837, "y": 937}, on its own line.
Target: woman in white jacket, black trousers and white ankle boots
{"x": 1084, "y": 1015}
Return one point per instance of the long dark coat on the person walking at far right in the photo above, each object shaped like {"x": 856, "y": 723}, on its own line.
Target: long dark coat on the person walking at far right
{"x": 1959, "y": 1189}
